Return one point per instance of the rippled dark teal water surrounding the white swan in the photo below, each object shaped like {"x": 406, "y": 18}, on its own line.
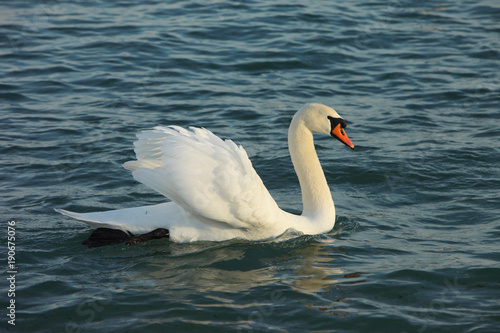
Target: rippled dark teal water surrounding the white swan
{"x": 416, "y": 243}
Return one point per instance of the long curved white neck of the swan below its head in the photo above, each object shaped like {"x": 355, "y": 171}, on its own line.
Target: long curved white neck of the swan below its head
{"x": 316, "y": 197}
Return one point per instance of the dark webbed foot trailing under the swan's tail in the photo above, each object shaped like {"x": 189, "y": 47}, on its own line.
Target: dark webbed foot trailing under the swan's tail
{"x": 107, "y": 236}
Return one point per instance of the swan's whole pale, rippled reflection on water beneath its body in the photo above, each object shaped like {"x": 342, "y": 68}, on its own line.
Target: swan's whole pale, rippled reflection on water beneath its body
{"x": 306, "y": 265}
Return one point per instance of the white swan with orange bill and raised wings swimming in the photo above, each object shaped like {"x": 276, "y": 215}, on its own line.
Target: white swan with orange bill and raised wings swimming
{"x": 215, "y": 192}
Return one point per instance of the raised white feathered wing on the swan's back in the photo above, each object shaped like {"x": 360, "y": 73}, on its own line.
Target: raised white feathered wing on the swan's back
{"x": 210, "y": 178}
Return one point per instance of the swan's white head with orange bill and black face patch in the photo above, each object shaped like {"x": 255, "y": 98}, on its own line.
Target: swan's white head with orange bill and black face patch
{"x": 323, "y": 119}
